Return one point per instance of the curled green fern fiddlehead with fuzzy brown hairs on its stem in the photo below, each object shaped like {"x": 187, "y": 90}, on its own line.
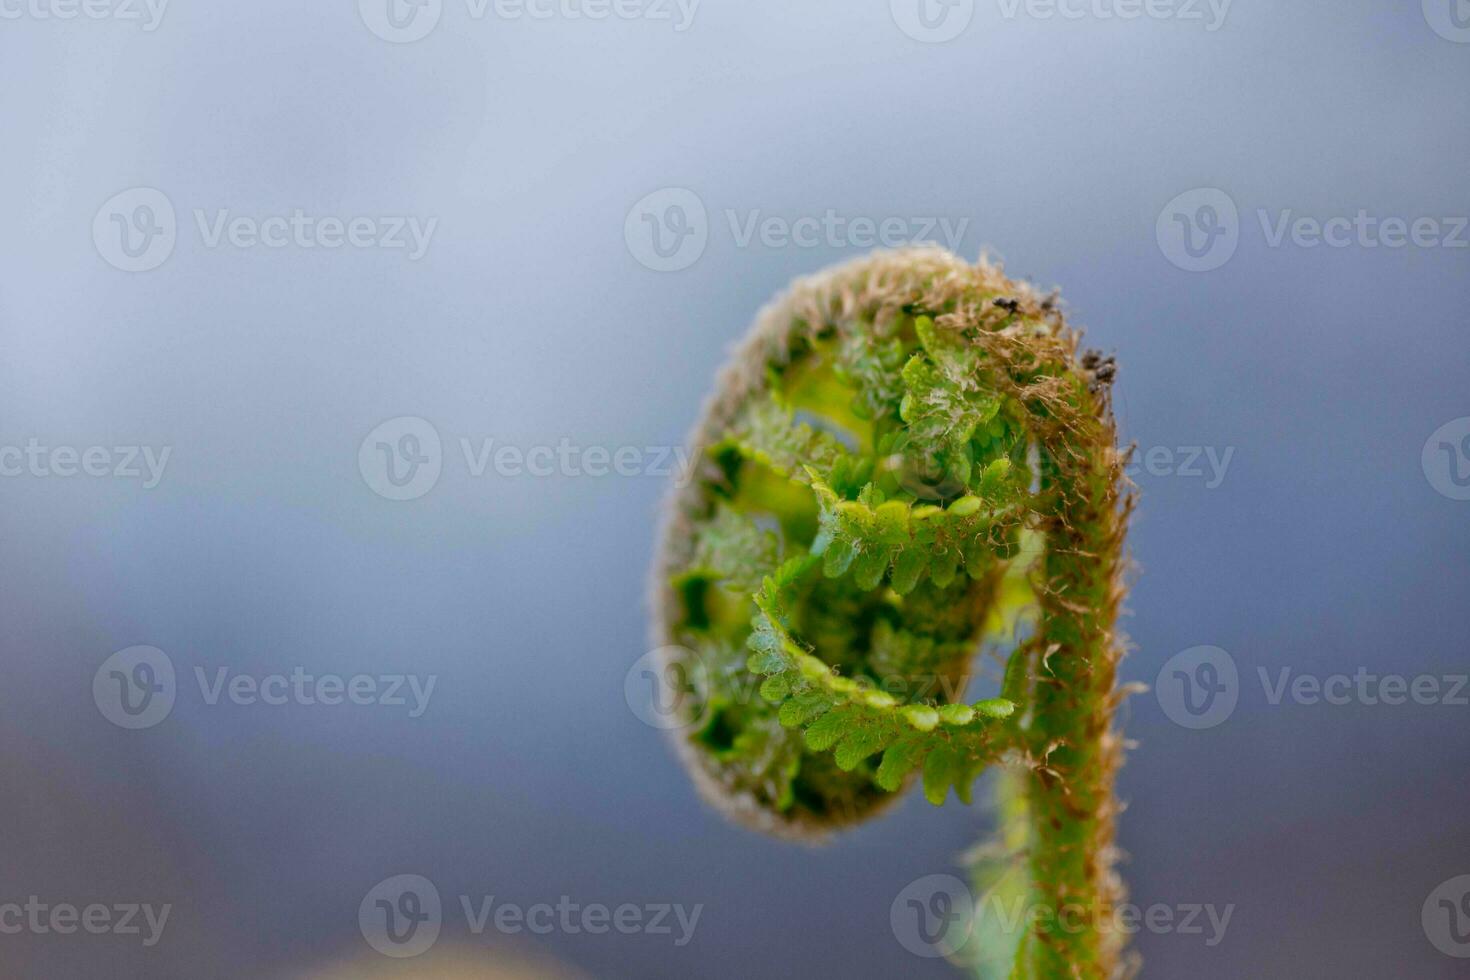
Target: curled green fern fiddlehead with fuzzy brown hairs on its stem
{"x": 905, "y": 449}
